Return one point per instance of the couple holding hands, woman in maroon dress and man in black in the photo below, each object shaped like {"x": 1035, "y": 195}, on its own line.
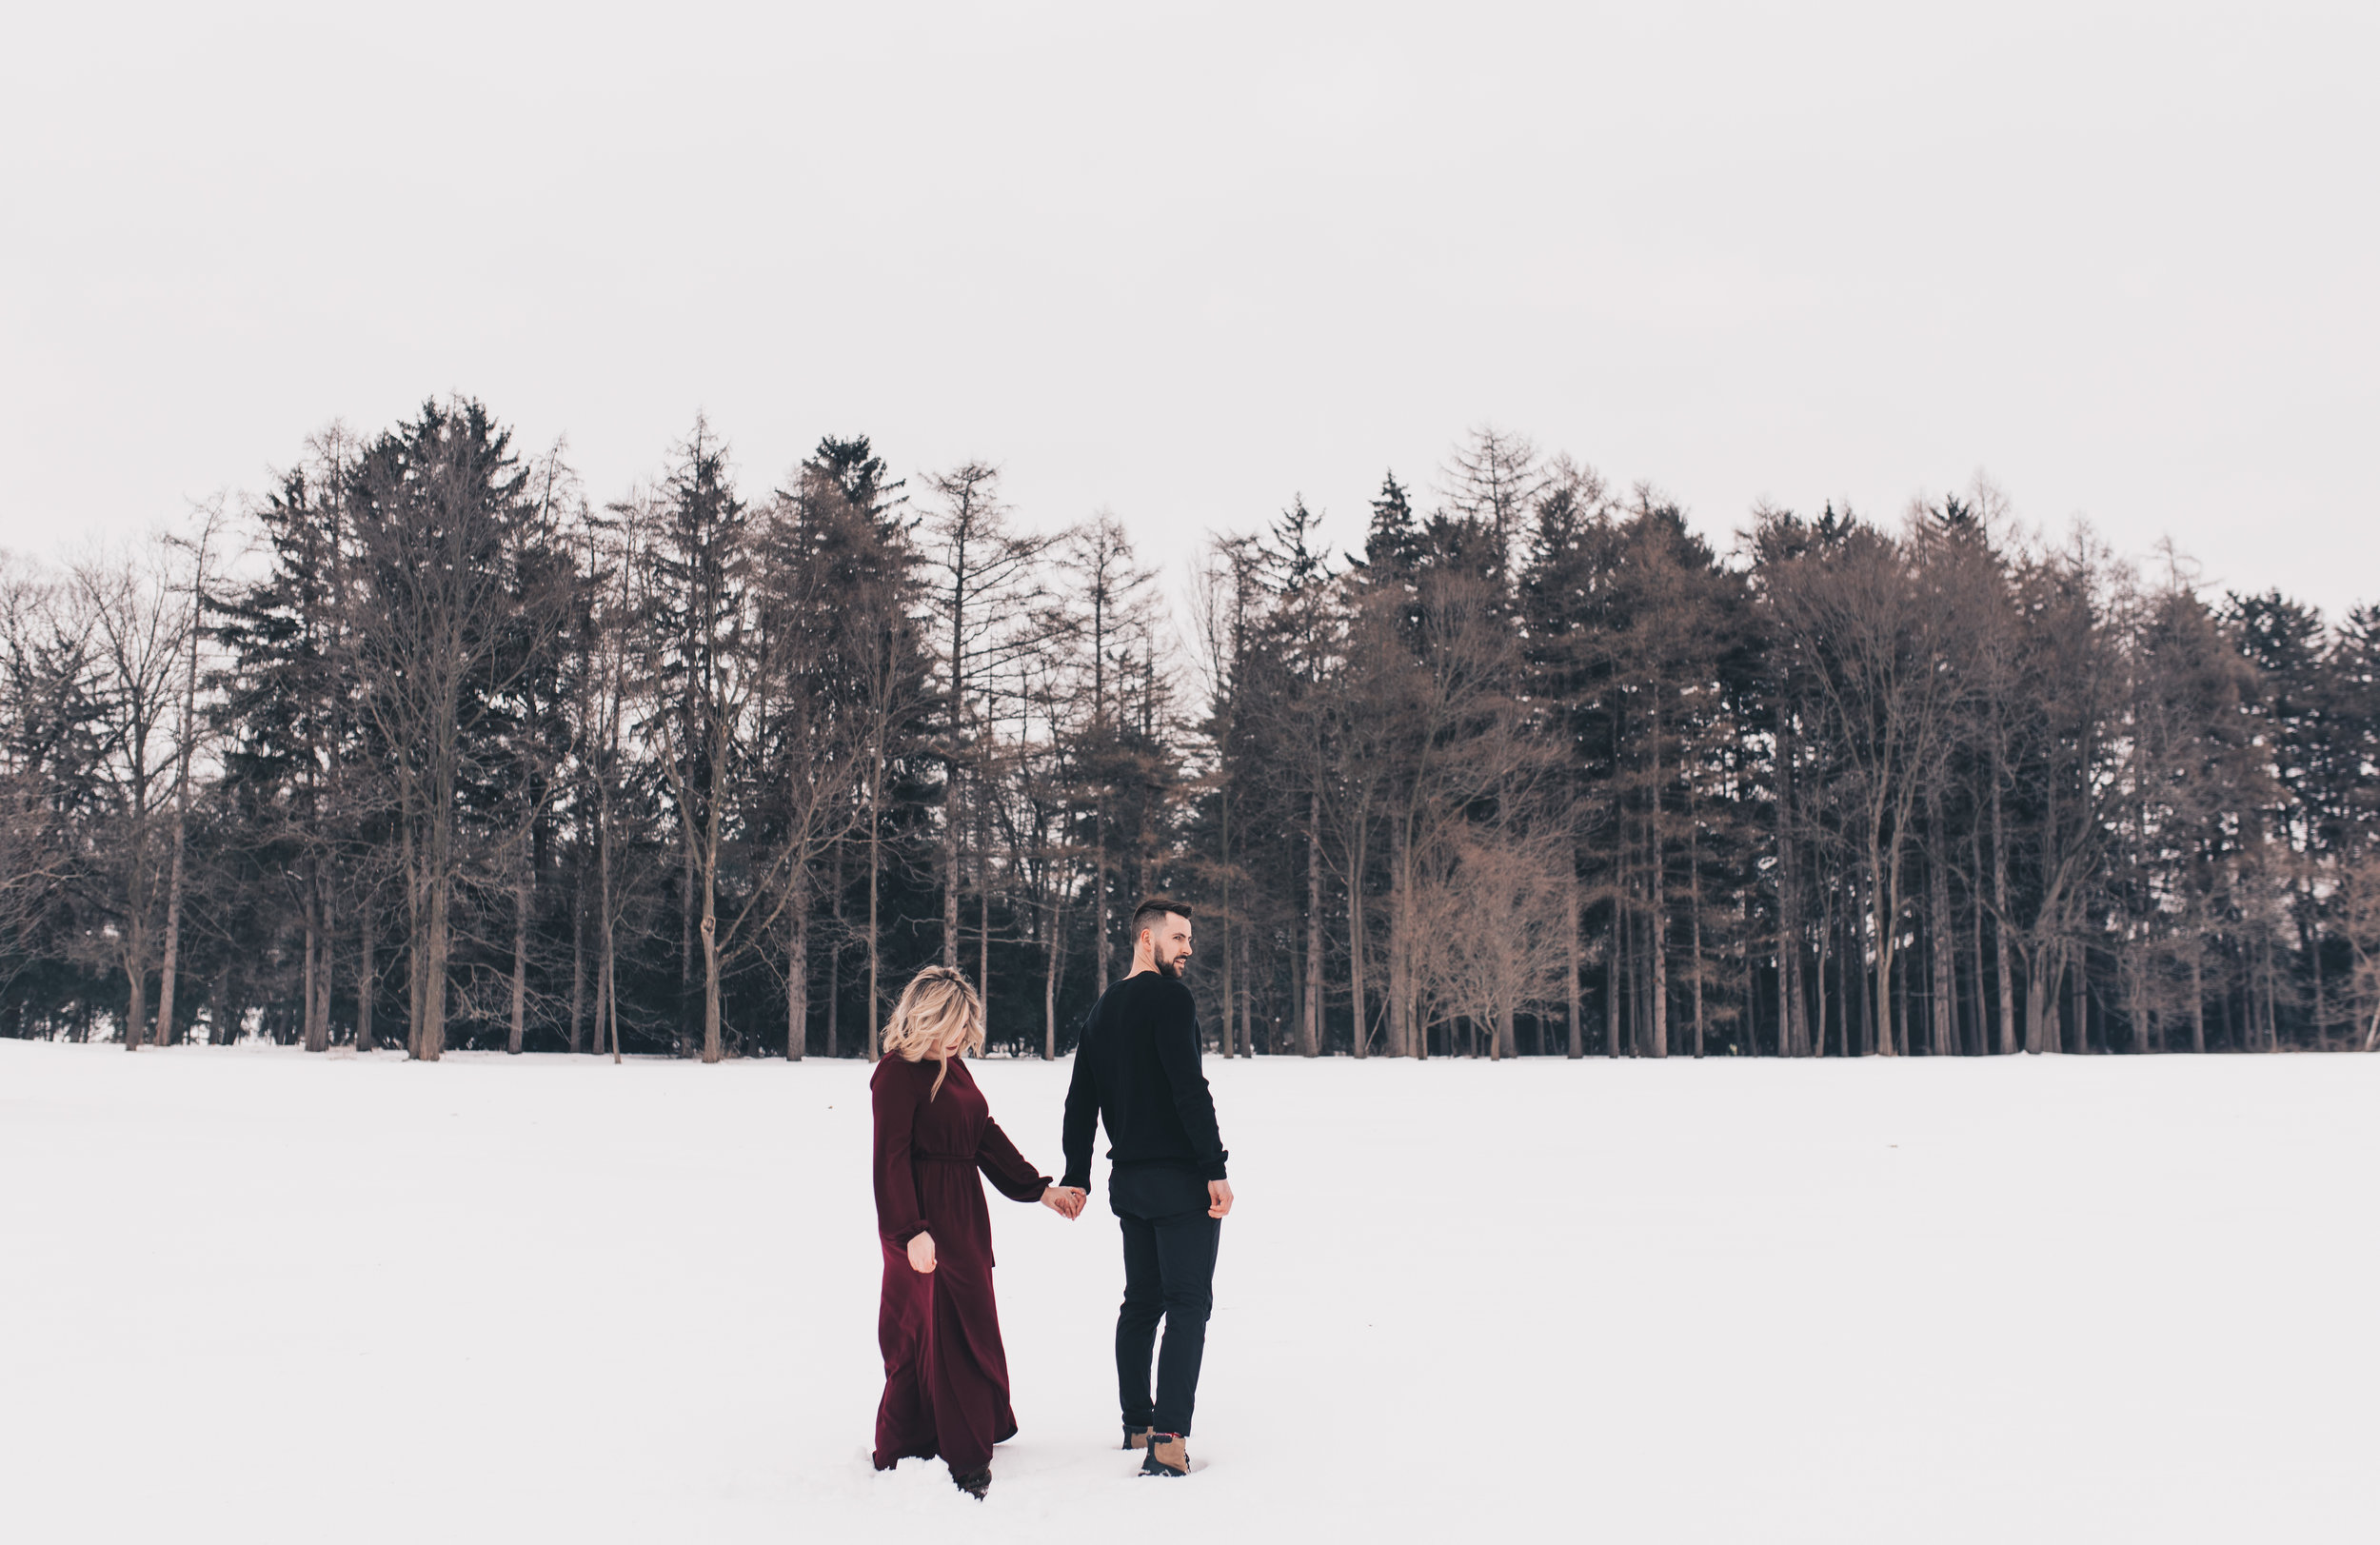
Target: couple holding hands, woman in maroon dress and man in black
{"x": 1139, "y": 1070}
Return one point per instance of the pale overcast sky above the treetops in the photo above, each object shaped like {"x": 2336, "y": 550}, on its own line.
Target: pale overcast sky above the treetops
{"x": 1189, "y": 263}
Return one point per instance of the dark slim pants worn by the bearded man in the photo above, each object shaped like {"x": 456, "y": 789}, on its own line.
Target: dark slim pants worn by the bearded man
{"x": 1167, "y": 1277}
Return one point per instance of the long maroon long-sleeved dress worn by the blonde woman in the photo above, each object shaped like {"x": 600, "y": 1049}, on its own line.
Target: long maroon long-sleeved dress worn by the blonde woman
{"x": 946, "y": 1375}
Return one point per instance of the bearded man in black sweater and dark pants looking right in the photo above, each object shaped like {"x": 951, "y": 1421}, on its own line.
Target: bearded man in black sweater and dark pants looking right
{"x": 1139, "y": 1072}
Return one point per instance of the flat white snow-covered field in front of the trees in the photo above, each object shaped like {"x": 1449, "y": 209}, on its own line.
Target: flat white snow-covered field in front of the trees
{"x": 263, "y": 1296}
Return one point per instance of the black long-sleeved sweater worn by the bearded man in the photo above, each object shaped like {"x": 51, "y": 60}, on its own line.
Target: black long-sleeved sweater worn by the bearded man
{"x": 1139, "y": 1072}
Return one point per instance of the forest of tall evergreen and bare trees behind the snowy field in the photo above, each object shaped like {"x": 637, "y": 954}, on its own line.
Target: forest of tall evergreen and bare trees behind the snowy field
{"x": 427, "y": 749}
